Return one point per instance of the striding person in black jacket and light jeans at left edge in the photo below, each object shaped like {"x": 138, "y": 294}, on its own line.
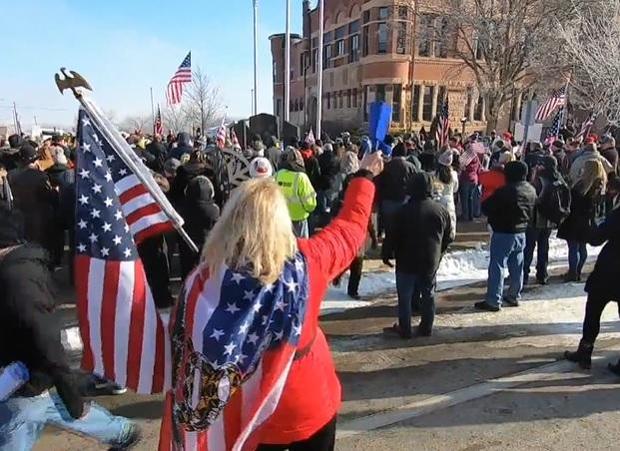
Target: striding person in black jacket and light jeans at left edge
{"x": 30, "y": 333}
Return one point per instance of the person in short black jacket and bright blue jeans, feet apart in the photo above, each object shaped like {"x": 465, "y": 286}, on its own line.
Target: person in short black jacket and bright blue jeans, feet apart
{"x": 509, "y": 210}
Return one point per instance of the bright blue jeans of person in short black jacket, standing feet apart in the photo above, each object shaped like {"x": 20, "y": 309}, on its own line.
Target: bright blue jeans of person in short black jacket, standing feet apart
{"x": 506, "y": 251}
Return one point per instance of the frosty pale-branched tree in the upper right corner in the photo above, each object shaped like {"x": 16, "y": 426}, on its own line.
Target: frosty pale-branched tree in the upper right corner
{"x": 592, "y": 51}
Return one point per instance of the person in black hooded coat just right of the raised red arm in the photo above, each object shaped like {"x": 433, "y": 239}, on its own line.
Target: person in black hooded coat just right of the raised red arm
{"x": 418, "y": 238}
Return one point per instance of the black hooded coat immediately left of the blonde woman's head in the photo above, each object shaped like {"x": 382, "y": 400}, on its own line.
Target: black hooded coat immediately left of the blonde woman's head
{"x": 200, "y": 211}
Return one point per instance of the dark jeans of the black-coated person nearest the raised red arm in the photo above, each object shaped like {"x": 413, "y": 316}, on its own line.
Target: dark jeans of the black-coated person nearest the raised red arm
{"x": 406, "y": 285}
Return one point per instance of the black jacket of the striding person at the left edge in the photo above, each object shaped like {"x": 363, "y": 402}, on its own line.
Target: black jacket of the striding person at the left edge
{"x": 28, "y": 330}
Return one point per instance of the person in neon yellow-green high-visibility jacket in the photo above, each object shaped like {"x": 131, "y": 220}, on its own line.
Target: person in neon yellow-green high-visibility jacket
{"x": 298, "y": 191}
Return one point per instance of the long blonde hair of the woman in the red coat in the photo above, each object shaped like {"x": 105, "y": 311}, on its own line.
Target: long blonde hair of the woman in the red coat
{"x": 254, "y": 233}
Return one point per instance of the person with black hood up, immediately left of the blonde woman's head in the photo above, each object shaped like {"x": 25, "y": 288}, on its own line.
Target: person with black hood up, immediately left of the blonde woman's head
{"x": 200, "y": 213}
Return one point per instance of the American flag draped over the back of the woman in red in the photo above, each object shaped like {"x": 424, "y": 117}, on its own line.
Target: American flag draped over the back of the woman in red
{"x": 230, "y": 329}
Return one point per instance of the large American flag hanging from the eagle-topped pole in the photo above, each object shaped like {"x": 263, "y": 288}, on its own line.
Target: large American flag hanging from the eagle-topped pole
{"x": 124, "y": 338}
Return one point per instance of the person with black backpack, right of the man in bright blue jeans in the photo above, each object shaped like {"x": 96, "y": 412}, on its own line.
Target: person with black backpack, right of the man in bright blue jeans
{"x": 552, "y": 207}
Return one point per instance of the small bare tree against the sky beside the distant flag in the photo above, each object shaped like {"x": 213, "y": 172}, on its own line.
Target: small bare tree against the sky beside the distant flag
{"x": 202, "y": 104}
